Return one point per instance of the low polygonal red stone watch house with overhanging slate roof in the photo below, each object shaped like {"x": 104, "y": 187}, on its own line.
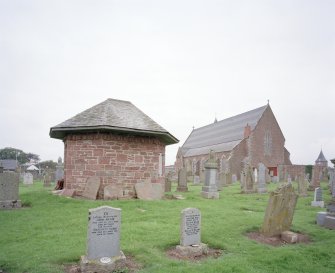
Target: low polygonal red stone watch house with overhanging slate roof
{"x": 114, "y": 141}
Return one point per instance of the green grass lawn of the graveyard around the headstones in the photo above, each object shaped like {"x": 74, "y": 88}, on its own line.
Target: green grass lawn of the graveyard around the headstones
{"x": 51, "y": 231}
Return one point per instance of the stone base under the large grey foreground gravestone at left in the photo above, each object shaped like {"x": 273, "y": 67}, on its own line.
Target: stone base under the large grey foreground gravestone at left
{"x": 91, "y": 266}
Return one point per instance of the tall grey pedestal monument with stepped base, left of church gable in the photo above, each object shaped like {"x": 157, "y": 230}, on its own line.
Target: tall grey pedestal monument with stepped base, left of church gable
{"x": 209, "y": 190}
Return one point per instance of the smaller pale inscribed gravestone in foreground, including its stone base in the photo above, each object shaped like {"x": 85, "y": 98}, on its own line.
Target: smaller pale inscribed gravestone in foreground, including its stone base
{"x": 190, "y": 234}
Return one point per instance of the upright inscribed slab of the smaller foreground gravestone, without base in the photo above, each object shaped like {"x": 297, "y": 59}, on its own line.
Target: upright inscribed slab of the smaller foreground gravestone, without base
{"x": 190, "y": 227}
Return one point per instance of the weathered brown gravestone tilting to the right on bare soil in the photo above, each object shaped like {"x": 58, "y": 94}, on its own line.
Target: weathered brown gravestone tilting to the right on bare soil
{"x": 280, "y": 210}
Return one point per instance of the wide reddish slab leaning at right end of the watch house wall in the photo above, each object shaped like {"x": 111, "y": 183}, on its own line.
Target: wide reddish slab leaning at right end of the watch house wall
{"x": 149, "y": 191}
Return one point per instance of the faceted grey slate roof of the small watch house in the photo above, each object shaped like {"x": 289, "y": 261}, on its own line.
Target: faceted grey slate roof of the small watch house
{"x": 112, "y": 116}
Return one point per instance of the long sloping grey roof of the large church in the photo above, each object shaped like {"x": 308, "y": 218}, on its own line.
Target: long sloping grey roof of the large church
{"x": 221, "y": 136}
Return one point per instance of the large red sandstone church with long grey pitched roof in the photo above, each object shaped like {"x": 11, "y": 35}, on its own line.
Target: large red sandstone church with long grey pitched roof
{"x": 254, "y": 134}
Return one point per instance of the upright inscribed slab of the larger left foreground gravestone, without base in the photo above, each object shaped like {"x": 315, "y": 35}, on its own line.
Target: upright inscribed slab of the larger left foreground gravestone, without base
{"x": 103, "y": 235}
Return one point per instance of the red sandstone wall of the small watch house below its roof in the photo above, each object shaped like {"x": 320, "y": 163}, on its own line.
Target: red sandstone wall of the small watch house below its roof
{"x": 116, "y": 159}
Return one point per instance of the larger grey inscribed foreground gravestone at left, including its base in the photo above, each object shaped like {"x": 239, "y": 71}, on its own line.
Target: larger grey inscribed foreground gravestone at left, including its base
{"x": 103, "y": 241}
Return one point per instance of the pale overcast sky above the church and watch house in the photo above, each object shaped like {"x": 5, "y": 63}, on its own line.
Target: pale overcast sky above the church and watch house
{"x": 183, "y": 63}
